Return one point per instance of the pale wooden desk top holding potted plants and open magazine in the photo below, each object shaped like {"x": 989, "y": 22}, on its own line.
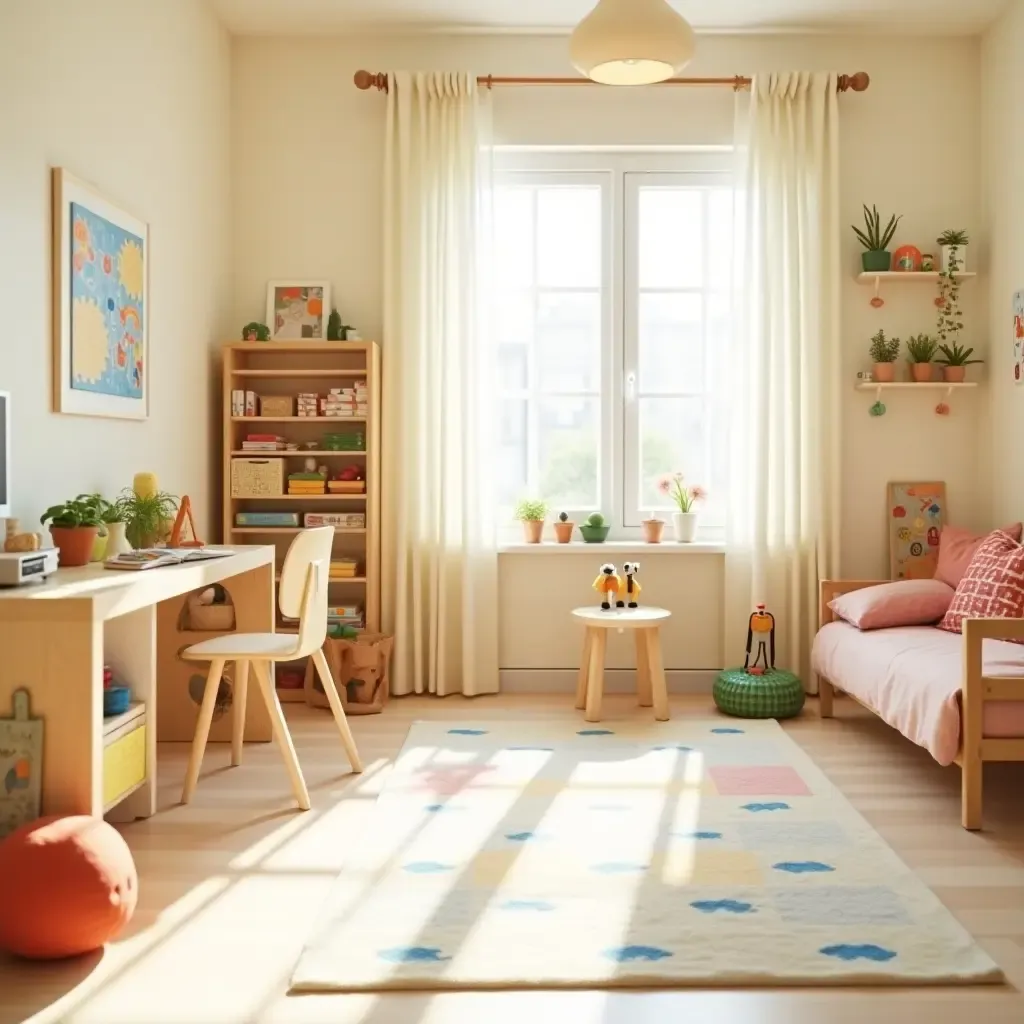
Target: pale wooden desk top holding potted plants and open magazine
{"x": 107, "y": 593}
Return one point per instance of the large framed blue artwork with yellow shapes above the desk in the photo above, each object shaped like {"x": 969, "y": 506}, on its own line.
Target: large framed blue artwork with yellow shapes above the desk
{"x": 101, "y": 305}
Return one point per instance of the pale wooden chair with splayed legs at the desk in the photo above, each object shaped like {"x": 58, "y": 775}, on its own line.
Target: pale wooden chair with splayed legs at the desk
{"x": 303, "y": 593}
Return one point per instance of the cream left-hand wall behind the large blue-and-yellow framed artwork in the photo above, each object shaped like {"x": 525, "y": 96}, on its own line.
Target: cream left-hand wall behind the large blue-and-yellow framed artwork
{"x": 134, "y": 98}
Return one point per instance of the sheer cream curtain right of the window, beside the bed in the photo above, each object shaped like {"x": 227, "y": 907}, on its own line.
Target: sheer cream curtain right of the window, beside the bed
{"x": 783, "y": 534}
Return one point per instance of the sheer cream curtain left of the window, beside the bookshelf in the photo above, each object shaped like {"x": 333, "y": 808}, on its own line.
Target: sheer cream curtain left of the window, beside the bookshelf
{"x": 440, "y": 559}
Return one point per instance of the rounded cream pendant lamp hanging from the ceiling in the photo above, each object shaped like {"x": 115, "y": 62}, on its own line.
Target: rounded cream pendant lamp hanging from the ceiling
{"x": 632, "y": 42}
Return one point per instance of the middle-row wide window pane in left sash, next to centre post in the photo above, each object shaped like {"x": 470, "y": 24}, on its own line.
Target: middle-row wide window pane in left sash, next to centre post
{"x": 569, "y": 342}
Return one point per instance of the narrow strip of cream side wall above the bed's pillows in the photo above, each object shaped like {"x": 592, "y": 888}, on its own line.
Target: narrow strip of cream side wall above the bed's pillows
{"x": 1003, "y": 101}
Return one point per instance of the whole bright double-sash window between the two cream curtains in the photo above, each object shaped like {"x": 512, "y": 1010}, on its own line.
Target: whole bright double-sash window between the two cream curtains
{"x": 612, "y": 326}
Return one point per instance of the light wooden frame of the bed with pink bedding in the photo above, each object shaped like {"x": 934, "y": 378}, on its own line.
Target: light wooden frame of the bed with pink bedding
{"x": 977, "y": 689}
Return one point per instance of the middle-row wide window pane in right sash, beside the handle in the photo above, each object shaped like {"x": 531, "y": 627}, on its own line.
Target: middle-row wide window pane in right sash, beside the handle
{"x": 671, "y": 343}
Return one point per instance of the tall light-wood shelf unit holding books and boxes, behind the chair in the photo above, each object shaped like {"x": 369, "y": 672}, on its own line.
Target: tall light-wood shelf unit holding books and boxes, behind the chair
{"x": 286, "y": 369}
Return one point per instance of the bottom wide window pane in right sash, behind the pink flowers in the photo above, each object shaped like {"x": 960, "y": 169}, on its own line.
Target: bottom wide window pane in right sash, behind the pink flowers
{"x": 673, "y": 437}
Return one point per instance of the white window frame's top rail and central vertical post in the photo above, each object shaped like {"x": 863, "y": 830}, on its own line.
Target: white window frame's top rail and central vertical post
{"x": 619, "y": 484}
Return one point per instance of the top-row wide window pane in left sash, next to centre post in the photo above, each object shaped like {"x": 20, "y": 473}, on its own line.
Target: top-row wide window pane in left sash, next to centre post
{"x": 569, "y": 230}
